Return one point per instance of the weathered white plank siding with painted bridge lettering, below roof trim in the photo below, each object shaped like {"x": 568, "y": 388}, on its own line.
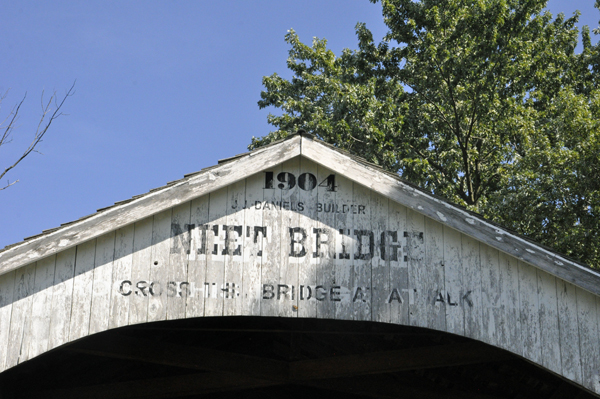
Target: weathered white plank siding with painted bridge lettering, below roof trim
{"x": 300, "y": 240}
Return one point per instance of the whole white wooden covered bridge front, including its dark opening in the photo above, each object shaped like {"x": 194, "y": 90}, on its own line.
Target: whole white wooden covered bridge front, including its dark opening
{"x": 294, "y": 270}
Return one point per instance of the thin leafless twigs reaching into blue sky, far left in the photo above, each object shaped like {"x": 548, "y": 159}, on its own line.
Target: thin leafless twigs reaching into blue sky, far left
{"x": 42, "y": 128}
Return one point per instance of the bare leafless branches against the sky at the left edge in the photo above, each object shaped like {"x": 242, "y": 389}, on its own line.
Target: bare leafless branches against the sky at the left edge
{"x": 50, "y": 112}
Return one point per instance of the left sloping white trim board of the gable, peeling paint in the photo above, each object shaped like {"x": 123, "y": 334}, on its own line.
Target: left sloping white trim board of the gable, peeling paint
{"x": 150, "y": 204}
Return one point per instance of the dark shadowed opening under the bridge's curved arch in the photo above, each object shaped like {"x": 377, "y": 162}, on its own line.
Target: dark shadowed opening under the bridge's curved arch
{"x": 247, "y": 357}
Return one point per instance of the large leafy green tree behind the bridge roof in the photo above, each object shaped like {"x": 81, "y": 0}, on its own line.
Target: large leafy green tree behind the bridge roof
{"x": 469, "y": 99}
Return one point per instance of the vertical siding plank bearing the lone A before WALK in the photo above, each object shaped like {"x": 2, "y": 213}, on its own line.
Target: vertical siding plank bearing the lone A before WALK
{"x": 398, "y": 300}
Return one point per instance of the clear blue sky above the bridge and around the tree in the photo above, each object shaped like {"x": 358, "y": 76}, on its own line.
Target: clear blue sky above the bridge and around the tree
{"x": 164, "y": 88}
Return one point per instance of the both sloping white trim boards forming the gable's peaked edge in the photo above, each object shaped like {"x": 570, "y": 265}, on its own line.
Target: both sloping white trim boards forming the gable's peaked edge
{"x": 354, "y": 168}
